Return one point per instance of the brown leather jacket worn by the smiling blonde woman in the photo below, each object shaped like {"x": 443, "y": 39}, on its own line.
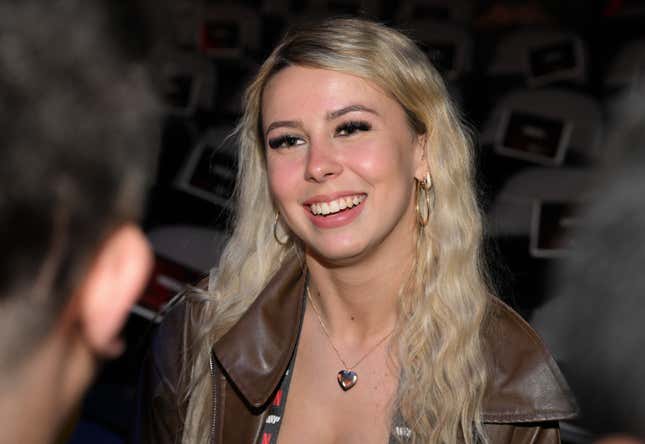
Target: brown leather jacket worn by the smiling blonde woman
{"x": 525, "y": 398}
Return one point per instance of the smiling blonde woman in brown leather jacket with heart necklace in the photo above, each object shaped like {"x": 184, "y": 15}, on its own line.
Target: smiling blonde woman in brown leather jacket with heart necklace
{"x": 350, "y": 303}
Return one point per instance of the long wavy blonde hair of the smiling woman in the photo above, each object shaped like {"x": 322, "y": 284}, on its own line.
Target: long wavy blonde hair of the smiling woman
{"x": 443, "y": 303}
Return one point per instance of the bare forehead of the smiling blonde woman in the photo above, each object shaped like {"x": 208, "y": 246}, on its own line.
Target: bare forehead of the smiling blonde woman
{"x": 298, "y": 89}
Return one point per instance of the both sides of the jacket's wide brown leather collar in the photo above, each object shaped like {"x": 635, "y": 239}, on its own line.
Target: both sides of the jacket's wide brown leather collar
{"x": 525, "y": 384}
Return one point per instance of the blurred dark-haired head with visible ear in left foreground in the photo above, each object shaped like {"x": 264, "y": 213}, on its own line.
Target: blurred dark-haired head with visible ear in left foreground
{"x": 78, "y": 128}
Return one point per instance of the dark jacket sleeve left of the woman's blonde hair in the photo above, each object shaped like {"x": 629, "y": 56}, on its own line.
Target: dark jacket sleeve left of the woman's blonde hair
{"x": 159, "y": 416}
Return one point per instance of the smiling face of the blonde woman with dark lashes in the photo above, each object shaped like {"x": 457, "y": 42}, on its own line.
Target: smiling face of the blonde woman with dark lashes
{"x": 341, "y": 160}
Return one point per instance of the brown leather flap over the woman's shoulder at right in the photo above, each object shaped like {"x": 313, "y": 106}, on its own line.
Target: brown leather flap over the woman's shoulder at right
{"x": 525, "y": 383}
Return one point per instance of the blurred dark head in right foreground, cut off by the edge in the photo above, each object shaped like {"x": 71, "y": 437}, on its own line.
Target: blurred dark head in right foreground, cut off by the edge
{"x": 594, "y": 324}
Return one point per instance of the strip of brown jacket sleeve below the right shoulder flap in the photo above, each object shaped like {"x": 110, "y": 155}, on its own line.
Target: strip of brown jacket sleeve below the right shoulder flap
{"x": 542, "y": 433}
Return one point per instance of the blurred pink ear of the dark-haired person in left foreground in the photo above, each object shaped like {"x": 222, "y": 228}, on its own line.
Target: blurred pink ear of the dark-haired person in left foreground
{"x": 112, "y": 285}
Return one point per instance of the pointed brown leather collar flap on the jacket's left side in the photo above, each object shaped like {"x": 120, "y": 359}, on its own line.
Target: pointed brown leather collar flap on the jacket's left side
{"x": 256, "y": 351}
